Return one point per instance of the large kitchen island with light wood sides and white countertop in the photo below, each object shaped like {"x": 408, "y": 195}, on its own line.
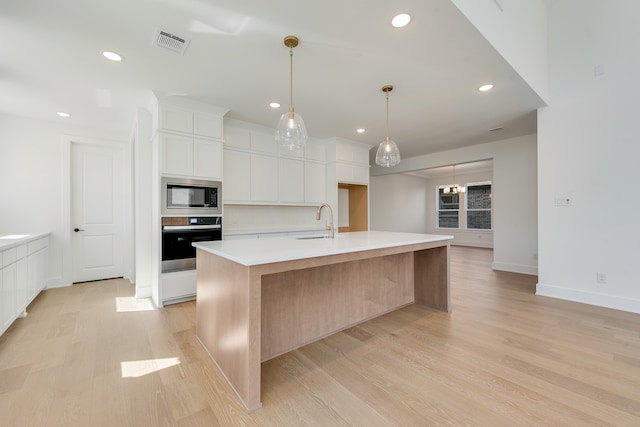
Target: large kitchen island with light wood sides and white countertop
{"x": 260, "y": 298}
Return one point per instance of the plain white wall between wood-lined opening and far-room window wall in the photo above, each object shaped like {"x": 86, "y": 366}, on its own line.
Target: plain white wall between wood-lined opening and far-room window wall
{"x": 398, "y": 203}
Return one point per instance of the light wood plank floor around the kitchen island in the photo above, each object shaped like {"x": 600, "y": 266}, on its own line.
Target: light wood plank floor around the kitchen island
{"x": 502, "y": 357}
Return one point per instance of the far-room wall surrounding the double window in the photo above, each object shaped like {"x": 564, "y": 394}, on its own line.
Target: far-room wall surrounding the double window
{"x": 462, "y": 237}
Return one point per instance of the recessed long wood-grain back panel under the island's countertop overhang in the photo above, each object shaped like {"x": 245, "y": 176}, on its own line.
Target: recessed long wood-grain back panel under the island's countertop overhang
{"x": 301, "y": 306}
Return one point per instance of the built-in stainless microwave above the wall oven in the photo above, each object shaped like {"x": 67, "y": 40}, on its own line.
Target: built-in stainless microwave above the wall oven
{"x": 183, "y": 196}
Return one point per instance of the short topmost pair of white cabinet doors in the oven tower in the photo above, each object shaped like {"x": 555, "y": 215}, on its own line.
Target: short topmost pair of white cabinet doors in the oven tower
{"x": 177, "y": 119}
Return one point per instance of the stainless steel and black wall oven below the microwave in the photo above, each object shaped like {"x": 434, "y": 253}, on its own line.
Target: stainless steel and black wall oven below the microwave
{"x": 178, "y": 233}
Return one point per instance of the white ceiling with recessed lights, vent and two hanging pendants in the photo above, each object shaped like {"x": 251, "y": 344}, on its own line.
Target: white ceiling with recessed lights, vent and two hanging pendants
{"x": 50, "y": 61}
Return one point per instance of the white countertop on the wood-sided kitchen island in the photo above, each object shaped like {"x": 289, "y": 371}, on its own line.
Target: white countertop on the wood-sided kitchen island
{"x": 266, "y": 251}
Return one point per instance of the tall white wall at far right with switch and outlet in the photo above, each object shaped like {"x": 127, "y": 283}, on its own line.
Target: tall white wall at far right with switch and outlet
{"x": 588, "y": 151}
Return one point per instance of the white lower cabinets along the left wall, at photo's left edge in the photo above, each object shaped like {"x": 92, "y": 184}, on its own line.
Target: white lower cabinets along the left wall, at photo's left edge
{"x": 23, "y": 276}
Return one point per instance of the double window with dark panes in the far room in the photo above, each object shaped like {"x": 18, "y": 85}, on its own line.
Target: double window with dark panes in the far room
{"x": 470, "y": 210}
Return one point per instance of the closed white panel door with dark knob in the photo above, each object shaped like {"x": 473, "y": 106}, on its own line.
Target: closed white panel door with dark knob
{"x": 96, "y": 212}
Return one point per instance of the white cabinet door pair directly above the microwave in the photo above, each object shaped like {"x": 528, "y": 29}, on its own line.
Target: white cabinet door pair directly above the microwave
{"x": 190, "y": 157}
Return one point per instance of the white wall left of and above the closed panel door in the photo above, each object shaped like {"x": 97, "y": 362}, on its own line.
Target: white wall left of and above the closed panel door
{"x": 32, "y": 171}
